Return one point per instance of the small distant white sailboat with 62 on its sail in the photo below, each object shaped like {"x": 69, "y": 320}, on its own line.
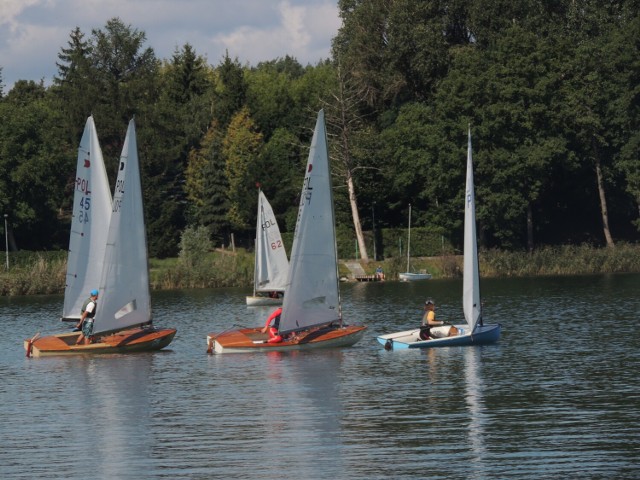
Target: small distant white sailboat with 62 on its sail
{"x": 271, "y": 265}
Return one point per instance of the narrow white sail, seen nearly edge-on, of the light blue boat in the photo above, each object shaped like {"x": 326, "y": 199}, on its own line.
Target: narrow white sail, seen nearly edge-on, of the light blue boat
{"x": 471, "y": 276}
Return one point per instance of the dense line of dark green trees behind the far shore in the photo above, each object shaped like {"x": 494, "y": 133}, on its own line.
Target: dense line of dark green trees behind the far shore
{"x": 549, "y": 89}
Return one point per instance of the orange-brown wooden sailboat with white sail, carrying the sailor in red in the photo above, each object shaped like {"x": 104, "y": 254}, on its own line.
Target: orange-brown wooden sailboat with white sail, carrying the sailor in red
{"x": 311, "y": 312}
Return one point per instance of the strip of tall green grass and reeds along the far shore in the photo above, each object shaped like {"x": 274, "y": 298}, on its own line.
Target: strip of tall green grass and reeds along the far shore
{"x": 44, "y": 272}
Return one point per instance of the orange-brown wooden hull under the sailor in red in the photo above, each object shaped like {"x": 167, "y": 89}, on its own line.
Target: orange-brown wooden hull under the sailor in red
{"x": 253, "y": 340}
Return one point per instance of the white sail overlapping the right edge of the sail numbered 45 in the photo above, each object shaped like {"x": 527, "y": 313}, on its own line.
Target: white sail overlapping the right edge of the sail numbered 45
{"x": 124, "y": 288}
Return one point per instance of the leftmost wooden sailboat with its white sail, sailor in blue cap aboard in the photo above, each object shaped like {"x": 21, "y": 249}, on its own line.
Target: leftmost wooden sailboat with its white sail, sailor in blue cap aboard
{"x": 123, "y": 318}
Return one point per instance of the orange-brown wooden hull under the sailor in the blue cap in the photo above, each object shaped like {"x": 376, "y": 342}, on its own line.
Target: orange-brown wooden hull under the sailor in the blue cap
{"x": 125, "y": 341}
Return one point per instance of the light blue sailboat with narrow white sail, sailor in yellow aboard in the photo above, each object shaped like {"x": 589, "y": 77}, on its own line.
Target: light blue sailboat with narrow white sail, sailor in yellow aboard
{"x": 474, "y": 331}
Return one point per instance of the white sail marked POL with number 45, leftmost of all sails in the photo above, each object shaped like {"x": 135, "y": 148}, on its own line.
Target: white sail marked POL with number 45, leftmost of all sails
{"x": 89, "y": 224}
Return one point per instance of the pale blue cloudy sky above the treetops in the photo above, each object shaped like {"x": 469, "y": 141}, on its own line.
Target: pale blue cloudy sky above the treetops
{"x": 33, "y": 32}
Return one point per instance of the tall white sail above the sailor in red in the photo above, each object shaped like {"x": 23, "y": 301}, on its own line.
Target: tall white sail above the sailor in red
{"x": 312, "y": 296}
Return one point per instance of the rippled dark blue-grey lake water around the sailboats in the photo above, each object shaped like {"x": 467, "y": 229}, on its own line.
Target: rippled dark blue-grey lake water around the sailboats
{"x": 557, "y": 397}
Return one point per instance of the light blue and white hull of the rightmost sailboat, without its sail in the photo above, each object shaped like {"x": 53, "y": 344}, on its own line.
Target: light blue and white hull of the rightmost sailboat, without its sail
{"x": 482, "y": 335}
